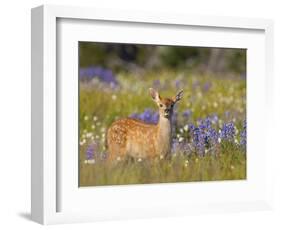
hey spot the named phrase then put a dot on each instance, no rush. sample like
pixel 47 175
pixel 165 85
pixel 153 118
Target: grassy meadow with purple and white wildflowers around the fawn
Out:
pixel 209 125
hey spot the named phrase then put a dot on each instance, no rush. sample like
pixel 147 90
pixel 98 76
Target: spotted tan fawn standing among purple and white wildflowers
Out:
pixel 135 138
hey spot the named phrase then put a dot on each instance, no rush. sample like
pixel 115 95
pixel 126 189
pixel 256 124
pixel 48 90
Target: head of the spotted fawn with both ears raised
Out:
pixel 165 105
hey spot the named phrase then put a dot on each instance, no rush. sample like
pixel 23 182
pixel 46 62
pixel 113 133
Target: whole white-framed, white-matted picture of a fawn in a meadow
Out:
pixel 141 114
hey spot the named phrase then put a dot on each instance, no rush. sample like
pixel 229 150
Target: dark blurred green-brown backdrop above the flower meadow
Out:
pixel 139 58
